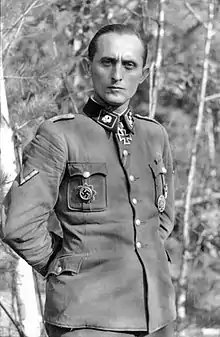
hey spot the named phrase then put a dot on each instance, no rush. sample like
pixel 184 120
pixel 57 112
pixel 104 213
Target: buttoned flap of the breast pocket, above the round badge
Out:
pixel 86 169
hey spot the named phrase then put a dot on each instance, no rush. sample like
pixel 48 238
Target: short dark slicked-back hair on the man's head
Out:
pixel 119 29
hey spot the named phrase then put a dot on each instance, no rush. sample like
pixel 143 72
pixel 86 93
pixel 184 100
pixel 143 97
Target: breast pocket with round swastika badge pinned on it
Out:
pixel 87 187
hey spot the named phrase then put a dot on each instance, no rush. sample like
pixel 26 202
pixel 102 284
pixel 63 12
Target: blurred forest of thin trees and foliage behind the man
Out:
pixel 43 44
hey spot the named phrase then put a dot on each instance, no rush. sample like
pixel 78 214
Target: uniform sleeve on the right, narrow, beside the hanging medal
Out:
pixel 167 216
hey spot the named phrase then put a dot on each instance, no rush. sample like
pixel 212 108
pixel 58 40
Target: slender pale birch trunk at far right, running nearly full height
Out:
pixel 187 253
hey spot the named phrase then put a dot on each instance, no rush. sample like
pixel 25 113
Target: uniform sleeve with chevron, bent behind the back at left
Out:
pixel 33 196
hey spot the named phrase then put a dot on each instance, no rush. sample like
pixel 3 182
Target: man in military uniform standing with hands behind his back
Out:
pixel 107 174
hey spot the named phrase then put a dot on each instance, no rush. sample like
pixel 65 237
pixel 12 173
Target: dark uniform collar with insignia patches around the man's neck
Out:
pixel 107 118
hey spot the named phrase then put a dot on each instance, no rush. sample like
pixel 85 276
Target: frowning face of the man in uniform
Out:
pixel 117 68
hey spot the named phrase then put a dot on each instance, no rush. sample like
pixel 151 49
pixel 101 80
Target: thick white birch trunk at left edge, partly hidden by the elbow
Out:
pixel 31 320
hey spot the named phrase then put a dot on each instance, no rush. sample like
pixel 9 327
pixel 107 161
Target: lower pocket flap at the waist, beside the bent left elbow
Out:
pixel 70 263
